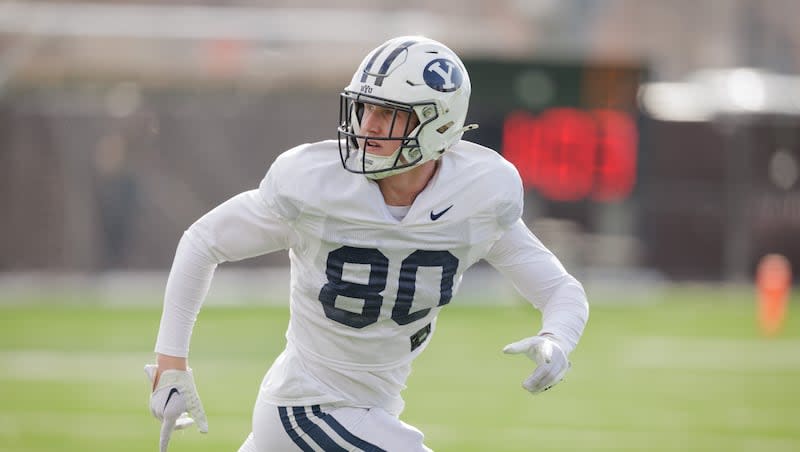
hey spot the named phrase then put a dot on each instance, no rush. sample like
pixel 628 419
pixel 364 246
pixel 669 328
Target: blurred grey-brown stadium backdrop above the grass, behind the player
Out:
pixel 122 122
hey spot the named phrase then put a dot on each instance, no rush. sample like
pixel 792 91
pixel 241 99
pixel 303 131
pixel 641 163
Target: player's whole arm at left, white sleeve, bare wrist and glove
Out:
pixel 239 228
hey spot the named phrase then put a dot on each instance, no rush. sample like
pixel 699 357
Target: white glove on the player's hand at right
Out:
pixel 551 361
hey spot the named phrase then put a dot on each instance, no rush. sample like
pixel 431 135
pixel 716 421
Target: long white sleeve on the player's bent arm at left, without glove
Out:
pixel 242 227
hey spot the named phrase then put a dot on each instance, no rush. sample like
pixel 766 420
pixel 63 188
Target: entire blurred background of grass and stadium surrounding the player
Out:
pixel 658 141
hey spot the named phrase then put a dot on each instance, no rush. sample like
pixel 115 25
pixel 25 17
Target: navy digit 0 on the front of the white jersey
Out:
pixel 408 282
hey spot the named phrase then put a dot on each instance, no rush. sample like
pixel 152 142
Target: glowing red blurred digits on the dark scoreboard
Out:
pixel 569 154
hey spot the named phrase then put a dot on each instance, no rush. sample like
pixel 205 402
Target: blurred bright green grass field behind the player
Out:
pixel 688 371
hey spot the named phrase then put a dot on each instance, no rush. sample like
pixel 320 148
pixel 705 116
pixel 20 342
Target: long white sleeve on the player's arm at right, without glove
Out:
pixel 539 277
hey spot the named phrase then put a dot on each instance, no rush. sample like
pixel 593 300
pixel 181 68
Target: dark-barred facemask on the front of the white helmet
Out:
pixel 353 148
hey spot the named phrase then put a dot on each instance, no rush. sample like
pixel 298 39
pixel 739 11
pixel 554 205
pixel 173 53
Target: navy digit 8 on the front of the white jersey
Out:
pixel 370 293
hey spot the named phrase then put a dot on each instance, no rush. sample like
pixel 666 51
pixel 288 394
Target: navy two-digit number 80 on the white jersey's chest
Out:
pixel 371 292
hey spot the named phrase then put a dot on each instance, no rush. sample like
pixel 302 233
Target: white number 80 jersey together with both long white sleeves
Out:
pixel 365 287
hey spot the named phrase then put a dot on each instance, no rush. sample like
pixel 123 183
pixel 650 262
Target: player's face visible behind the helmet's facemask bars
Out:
pixel 381 122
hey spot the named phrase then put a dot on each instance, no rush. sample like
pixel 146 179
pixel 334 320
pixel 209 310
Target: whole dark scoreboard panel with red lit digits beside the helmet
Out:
pixel 570 129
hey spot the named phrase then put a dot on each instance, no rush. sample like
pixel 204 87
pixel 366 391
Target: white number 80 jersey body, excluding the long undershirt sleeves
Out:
pixel 366 288
